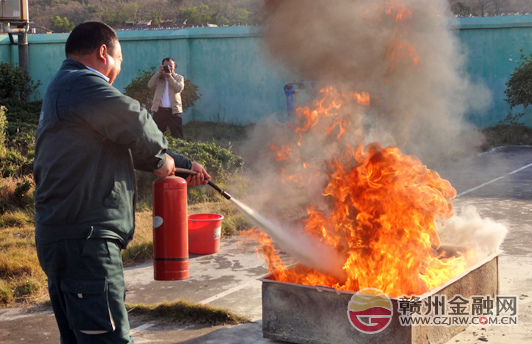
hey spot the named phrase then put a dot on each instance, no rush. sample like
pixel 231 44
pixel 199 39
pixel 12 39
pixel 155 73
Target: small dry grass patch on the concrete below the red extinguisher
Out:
pixel 185 313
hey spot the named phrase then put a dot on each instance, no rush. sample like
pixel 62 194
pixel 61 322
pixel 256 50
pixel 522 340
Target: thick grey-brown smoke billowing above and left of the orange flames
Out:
pixel 402 53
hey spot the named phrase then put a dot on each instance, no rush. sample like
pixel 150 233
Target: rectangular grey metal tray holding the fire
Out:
pixel 303 314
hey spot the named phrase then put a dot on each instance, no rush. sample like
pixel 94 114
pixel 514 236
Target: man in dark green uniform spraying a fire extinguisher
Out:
pixel 89 138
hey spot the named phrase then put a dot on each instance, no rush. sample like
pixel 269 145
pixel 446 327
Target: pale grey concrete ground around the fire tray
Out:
pixel 498 183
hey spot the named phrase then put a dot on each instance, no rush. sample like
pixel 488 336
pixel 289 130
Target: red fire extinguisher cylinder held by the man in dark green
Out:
pixel 170 229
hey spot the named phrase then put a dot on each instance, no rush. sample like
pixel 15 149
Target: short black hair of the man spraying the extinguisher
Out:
pixel 87 37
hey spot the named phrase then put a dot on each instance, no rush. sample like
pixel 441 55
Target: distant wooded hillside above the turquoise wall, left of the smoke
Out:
pixel 62 15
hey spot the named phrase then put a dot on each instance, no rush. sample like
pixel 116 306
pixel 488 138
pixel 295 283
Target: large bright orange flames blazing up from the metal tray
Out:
pixel 384 208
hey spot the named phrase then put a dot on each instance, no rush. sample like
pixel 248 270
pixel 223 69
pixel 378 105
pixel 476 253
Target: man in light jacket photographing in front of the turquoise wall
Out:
pixel 167 99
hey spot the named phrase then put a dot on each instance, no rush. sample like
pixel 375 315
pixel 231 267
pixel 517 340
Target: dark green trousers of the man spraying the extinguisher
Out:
pixel 87 290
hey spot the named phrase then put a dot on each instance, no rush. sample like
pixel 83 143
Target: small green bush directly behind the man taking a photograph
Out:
pixel 138 89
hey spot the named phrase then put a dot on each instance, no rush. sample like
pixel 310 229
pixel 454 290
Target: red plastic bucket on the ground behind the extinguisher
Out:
pixel 204 231
